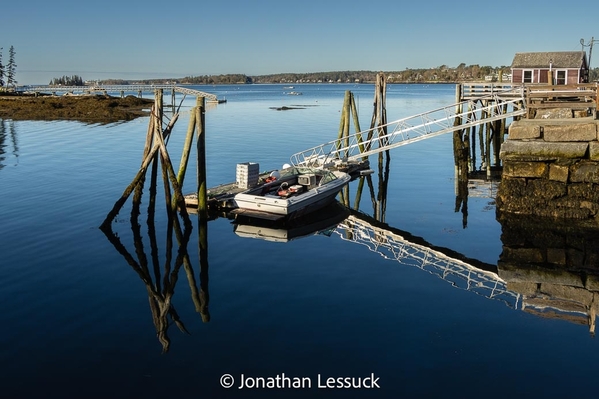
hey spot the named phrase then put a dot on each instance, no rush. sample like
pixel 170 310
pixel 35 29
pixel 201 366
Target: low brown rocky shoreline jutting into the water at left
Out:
pixel 83 108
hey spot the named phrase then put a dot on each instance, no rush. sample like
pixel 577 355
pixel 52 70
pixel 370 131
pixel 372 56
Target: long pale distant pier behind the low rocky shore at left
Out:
pixel 136 88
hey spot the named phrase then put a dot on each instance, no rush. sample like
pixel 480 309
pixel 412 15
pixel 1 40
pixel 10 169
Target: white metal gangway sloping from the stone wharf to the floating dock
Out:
pixel 501 104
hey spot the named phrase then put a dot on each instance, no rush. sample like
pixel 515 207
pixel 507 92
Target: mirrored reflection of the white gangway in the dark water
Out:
pixel 393 246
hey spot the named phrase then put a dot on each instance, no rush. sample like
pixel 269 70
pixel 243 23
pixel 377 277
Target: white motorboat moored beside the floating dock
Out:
pixel 291 192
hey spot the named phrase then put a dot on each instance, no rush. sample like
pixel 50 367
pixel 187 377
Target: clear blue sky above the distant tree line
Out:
pixel 144 39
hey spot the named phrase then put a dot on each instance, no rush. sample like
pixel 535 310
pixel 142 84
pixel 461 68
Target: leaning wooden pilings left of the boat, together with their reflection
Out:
pixel 160 289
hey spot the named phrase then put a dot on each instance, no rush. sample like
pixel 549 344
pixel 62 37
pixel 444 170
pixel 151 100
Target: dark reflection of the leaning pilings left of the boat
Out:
pixel 160 279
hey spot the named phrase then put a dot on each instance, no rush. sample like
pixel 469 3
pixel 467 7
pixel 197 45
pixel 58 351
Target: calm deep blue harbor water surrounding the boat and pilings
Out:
pixel 78 322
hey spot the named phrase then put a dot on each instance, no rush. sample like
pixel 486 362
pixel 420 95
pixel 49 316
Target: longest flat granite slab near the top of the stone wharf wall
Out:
pixel 541 150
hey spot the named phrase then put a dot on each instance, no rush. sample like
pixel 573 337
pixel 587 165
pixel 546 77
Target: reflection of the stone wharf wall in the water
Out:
pixel 554 266
